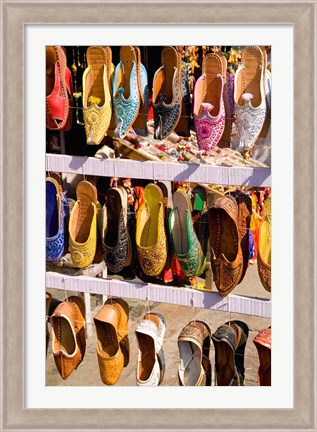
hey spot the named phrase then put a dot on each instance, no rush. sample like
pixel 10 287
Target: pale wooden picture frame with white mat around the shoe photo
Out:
pixel 27 403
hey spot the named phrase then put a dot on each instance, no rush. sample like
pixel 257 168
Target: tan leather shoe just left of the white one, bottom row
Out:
pixel 113 343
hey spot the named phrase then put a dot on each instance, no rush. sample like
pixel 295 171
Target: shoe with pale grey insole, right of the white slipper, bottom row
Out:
pixel 194 348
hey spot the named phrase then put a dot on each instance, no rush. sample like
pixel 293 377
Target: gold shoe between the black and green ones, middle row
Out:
pixel 151 239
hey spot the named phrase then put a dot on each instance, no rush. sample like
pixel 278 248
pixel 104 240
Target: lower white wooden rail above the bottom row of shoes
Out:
pixel 158 293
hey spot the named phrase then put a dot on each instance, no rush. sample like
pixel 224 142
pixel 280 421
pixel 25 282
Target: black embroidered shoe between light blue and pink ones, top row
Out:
pixel 171 98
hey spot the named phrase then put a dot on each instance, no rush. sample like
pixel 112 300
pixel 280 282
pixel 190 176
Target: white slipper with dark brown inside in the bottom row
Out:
pixel 151 362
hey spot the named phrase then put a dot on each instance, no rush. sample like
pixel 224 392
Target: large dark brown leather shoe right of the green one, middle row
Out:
pixel 225 249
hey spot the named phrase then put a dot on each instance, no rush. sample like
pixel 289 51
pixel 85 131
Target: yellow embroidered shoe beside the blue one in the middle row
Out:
pixel 84 225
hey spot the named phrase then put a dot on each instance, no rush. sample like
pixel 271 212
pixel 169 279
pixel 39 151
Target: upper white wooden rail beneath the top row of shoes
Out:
pixel 84 165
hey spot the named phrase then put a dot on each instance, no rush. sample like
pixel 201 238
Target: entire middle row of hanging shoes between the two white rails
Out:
pixel 138 229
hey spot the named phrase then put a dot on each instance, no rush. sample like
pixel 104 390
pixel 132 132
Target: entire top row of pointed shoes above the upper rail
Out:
pixel 116 99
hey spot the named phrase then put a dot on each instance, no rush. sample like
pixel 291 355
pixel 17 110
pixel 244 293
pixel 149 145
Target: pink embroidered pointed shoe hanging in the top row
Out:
pixel 209 107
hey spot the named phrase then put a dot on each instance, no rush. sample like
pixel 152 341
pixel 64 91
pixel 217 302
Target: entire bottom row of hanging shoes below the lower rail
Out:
pixel 111 322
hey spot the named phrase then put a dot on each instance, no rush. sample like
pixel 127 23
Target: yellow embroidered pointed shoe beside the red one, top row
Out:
pixel 96 93
